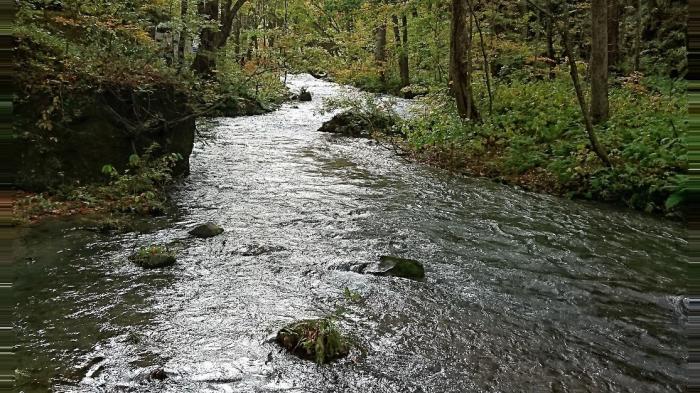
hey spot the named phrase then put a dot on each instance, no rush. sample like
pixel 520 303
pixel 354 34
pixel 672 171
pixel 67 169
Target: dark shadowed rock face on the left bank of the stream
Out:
pixel 108 128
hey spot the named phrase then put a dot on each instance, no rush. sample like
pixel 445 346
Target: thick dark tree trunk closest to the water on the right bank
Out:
pixel 460 43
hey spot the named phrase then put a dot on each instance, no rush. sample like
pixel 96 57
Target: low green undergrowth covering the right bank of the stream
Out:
pixel 536 126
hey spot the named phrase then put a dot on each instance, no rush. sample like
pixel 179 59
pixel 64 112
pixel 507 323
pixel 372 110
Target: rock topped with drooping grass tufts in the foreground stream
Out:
pixel 314 339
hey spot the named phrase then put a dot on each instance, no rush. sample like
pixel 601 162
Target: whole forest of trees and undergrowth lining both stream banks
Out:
pixel 580 100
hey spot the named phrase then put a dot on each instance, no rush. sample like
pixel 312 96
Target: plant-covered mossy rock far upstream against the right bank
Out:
pixel 358 125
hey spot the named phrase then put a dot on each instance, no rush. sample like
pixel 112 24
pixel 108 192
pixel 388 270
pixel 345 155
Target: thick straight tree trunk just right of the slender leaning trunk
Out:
pixel 599 61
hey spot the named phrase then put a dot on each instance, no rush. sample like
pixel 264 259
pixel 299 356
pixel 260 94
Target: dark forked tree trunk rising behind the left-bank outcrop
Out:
pixel 211 39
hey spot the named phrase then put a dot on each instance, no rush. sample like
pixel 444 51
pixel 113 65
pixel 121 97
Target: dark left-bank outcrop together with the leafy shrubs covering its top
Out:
pixel 93 91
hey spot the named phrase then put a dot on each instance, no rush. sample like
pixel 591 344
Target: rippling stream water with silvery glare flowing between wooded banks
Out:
pixel 523 292
